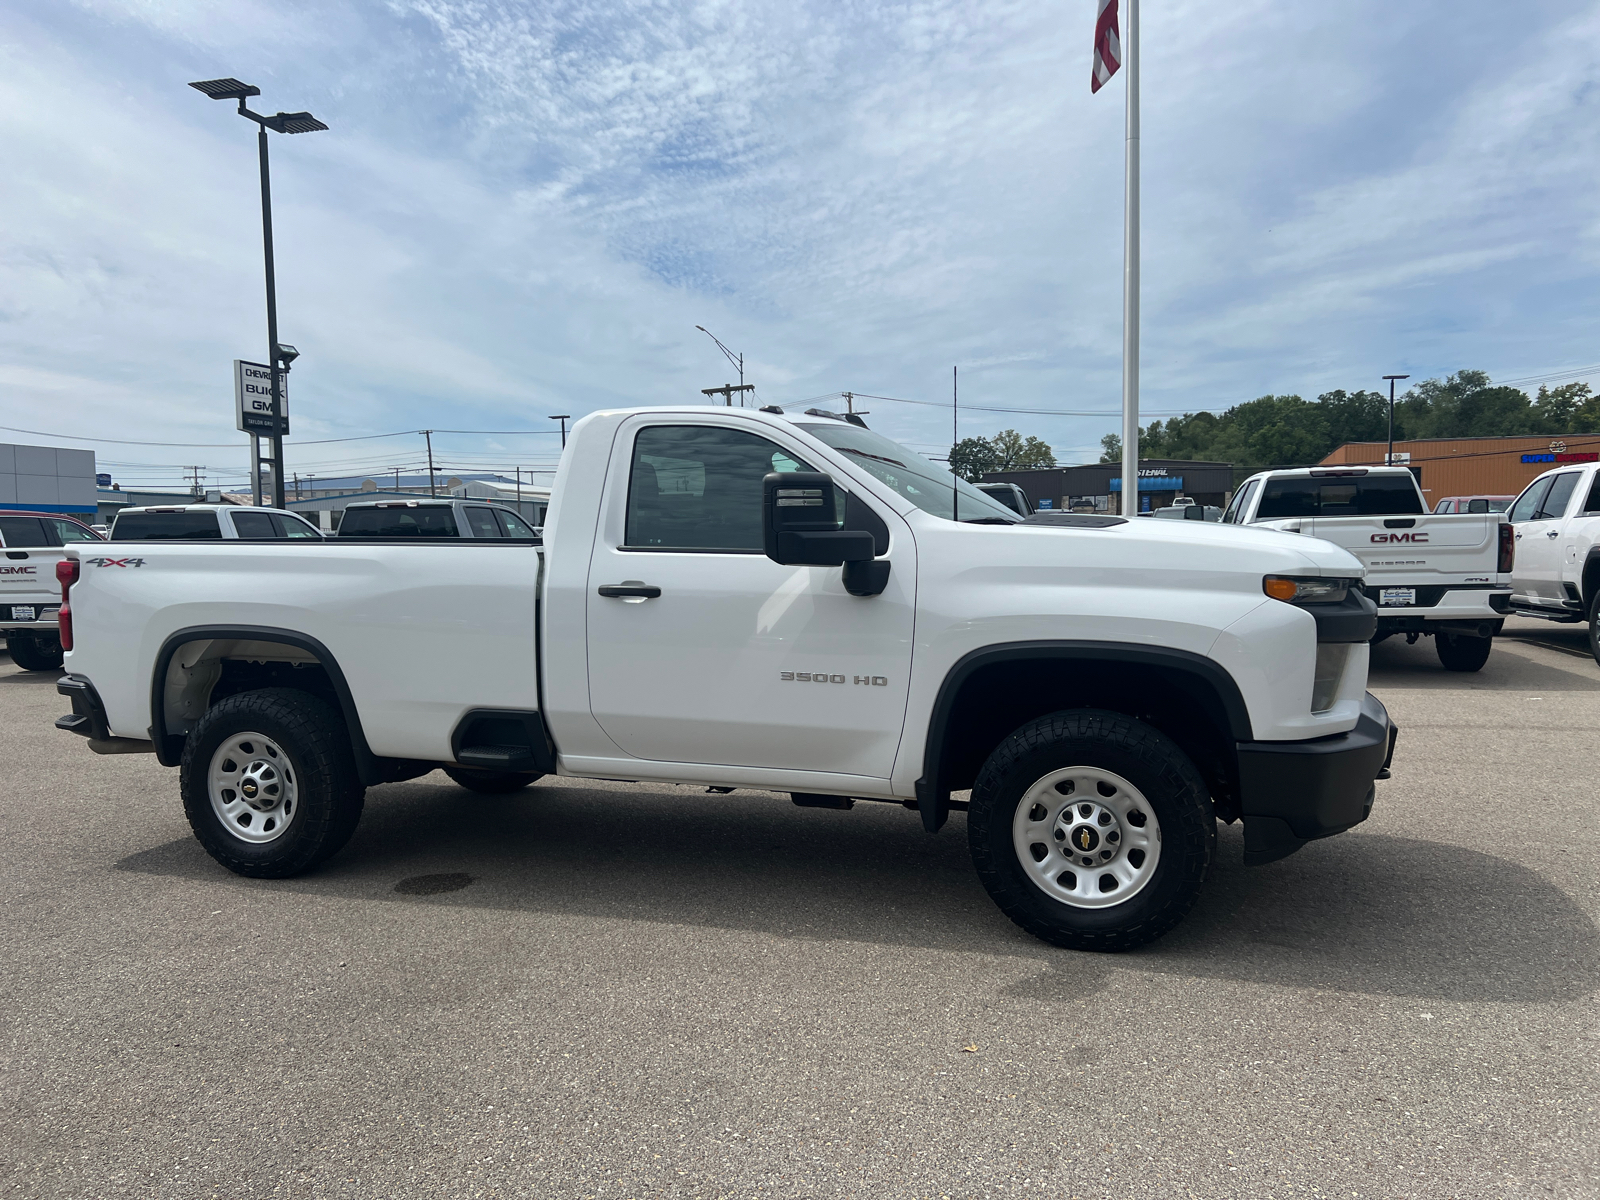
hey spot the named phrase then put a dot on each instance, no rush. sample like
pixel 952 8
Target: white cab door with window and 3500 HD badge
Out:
pixel 713 654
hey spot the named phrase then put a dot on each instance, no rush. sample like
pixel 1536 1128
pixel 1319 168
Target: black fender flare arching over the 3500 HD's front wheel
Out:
pixel 934 794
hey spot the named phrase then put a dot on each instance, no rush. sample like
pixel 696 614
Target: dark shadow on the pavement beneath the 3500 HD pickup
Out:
pixel 1362 913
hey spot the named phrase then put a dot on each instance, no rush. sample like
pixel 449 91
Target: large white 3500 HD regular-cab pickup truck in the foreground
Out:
pixel 746 601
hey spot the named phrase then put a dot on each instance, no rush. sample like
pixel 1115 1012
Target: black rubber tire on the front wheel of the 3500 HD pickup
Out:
pixel 1148 761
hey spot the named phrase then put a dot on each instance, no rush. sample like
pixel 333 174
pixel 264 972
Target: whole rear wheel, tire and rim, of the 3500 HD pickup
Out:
pixel 270 783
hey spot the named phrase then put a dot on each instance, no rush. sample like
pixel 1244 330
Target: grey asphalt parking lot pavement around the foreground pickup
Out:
pixel 660 993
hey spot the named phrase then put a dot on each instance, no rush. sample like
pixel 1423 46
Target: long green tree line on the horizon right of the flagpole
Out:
pixel 1284 431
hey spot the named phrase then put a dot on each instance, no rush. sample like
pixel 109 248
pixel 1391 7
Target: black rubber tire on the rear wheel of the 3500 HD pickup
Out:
pixel 329 791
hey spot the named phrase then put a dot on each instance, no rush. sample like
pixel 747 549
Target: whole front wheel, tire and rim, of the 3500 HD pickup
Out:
pixel 1092 831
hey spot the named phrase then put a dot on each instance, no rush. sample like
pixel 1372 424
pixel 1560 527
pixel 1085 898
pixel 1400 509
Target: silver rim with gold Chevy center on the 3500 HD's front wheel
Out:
pixel 1087 838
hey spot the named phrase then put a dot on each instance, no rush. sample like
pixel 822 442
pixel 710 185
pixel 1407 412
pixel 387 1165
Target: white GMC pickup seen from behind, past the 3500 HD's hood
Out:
pixel 1431 575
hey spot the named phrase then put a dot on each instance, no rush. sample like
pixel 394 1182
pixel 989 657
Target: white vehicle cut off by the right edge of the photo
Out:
pixel 1558 574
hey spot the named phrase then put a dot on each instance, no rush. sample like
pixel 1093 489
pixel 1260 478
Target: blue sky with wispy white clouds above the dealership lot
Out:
pixel 526 209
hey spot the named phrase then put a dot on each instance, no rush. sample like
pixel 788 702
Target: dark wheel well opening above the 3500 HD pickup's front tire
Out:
pixel 998 698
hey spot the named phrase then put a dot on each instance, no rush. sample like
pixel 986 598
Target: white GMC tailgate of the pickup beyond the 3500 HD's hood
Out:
pixel 1430 550
